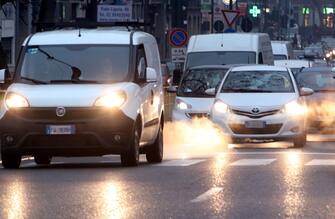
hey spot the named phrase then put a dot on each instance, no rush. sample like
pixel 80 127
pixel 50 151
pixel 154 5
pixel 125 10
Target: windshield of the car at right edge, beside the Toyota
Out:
pixel 318 81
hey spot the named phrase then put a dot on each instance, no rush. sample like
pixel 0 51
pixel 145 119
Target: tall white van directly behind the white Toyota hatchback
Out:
pixel 229 48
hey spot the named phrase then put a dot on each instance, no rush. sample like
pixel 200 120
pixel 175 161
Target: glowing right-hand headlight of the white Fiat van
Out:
pixel 111 100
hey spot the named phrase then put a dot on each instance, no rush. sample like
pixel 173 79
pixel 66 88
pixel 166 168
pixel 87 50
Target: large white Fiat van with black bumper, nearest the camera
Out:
pixel 87 92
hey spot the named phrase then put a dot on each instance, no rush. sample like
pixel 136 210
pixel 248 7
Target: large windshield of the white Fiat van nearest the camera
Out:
pixel 83 62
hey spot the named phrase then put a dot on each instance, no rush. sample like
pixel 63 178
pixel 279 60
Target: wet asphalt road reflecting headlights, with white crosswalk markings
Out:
pixel 252 181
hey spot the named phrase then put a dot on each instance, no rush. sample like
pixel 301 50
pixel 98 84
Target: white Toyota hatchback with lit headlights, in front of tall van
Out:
pixel 261 103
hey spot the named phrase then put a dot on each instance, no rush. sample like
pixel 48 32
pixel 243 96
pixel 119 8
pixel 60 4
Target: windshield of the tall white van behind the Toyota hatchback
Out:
pixel 220 58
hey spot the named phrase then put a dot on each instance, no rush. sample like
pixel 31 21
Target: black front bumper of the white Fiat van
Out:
pixel 97 132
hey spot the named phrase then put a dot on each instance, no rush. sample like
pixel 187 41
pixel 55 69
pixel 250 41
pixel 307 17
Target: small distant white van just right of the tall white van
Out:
pixel 282 50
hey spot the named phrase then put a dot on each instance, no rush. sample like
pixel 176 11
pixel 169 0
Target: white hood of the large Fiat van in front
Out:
pixel 66 95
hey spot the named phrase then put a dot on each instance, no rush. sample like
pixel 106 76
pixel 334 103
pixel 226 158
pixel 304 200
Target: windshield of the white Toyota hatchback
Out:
pixel 258 82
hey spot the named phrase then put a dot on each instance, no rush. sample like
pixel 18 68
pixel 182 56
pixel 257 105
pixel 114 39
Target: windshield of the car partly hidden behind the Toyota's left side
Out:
pixel 197 81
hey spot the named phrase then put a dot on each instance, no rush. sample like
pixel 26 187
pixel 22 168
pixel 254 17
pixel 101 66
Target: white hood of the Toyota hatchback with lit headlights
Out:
pixel 264 101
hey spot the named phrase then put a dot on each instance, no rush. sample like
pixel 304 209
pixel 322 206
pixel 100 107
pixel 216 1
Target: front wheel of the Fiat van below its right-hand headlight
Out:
pixel 132 156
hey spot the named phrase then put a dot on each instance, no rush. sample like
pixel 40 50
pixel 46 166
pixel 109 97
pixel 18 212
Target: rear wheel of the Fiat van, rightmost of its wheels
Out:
pixel 154 152
